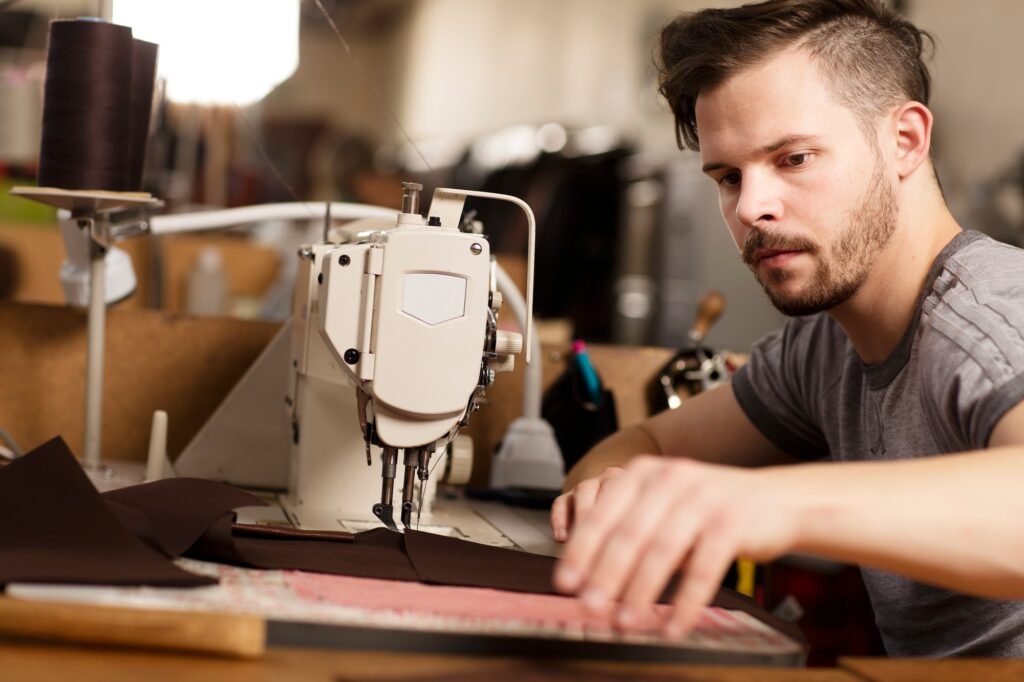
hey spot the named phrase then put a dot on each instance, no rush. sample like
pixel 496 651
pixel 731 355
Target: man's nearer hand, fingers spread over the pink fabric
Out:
pixel 632 529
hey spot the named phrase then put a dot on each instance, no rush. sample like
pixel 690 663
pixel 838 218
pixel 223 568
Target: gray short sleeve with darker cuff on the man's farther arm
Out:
pixel 775 392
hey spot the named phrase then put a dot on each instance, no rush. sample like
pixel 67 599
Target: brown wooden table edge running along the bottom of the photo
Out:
pixel 22 662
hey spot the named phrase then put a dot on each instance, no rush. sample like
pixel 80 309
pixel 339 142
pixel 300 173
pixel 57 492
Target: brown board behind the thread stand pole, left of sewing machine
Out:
pixel 154 361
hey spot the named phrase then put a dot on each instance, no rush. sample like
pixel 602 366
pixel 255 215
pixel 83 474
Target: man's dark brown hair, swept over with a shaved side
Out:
pixel 871 59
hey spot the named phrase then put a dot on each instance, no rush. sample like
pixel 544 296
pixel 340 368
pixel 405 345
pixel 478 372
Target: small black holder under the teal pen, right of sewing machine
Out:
pixel 579 422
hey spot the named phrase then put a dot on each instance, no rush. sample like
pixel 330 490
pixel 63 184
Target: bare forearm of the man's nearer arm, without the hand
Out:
pixel 952 521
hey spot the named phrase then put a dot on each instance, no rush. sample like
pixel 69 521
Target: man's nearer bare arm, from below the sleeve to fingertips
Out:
pixel 954 521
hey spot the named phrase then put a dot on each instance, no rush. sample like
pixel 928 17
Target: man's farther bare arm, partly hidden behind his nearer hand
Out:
pixel 710 428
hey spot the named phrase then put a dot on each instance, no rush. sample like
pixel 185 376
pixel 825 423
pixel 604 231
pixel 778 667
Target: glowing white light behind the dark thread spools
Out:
pixel 218 52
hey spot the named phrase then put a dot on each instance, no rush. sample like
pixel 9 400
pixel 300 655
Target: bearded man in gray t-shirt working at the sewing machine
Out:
pixel 907 342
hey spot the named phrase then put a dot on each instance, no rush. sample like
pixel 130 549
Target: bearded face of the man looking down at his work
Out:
pixel 805 194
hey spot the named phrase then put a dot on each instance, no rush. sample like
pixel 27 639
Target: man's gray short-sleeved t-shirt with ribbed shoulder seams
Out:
pixel 958 370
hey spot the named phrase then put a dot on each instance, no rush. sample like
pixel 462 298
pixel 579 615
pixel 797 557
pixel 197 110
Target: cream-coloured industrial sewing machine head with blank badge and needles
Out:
pixel 397 327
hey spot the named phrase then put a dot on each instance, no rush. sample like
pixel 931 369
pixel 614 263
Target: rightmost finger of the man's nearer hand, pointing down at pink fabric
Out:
pixel 707 567
